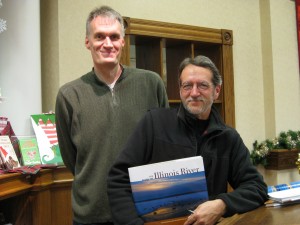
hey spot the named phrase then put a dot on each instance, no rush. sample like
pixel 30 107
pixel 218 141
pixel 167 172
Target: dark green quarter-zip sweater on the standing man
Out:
pixel 93 124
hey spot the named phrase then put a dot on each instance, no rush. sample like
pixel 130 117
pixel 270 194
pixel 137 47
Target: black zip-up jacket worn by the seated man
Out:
pixel 167 134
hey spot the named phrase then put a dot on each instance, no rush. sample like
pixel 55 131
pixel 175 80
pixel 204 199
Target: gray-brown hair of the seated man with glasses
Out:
pixel 201 61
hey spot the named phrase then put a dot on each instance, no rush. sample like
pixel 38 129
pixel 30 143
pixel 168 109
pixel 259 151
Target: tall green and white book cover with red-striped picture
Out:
pixel 45 131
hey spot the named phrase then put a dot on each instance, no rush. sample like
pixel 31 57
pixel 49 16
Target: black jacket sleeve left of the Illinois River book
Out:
pixel 135 153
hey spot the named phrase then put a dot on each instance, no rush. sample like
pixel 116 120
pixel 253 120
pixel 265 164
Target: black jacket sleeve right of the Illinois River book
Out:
pixel 250 191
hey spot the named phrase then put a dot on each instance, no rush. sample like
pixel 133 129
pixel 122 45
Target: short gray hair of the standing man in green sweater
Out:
pixel 105 11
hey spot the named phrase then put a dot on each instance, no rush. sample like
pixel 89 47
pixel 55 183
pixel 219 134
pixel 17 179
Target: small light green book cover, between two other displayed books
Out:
pixel 29 150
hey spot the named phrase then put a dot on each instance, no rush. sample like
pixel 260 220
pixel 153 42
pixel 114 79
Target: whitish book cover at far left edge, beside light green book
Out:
pixel 9 159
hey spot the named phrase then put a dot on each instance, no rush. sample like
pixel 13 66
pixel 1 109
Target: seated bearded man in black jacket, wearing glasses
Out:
pixel 196 128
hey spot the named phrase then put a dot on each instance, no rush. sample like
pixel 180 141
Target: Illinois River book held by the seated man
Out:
pixel 168 189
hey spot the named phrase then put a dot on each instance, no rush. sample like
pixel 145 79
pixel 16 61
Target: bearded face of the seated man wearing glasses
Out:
pixel 197 91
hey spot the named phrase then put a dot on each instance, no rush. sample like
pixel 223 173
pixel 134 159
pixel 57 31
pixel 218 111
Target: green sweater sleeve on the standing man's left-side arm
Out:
pixel 63 113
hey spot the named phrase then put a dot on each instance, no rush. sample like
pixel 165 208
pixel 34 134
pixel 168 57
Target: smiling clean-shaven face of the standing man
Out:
pixel 105 41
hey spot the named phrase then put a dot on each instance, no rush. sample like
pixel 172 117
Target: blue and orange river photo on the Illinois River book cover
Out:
pixel 169 197
